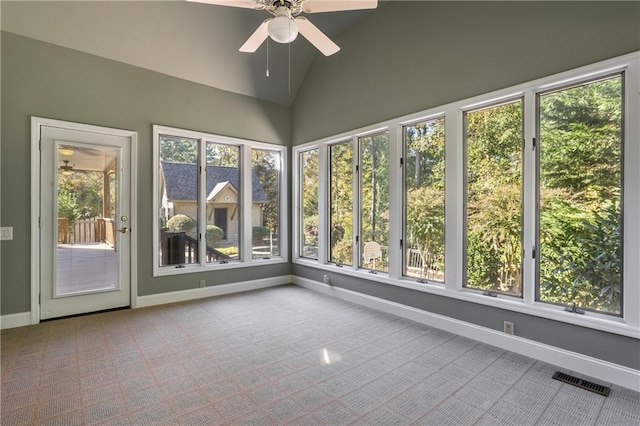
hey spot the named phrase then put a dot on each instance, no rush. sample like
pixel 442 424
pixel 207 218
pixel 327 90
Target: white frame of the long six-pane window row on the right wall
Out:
pixel 627 325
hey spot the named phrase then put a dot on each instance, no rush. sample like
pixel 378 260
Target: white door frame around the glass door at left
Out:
pixel 36 124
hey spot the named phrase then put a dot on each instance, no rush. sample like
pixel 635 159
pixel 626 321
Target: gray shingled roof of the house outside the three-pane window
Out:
pixel 180 180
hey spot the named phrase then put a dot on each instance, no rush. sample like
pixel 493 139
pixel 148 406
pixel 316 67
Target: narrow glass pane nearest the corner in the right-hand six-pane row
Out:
pixel 309 204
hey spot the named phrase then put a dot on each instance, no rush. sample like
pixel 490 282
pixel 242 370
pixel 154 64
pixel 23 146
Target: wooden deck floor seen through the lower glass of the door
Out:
pixel 85 267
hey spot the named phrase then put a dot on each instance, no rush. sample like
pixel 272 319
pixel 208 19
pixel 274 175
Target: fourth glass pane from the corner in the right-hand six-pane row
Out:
pixel 424 200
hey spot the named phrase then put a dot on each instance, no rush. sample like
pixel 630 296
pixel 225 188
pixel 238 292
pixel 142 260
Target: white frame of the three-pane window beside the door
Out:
pixel 245 225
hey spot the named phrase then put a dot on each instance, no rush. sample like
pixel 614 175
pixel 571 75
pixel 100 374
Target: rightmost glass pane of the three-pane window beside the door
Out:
pixel 265 207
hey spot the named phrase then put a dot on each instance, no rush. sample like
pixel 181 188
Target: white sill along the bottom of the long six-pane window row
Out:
pixel 591 320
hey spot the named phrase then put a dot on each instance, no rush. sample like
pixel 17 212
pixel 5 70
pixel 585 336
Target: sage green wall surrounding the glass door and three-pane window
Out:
pixel 41 79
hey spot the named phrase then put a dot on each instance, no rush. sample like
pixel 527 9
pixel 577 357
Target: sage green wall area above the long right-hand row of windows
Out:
pixel 412 55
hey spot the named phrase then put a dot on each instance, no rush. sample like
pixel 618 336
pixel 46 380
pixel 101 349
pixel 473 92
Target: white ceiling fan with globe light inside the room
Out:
pixel 285 24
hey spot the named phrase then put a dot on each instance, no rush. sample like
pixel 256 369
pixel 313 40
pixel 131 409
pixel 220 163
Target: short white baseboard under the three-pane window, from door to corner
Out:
pixel 216 290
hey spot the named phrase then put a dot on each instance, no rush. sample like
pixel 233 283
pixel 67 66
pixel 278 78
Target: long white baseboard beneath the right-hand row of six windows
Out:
pixel 593 367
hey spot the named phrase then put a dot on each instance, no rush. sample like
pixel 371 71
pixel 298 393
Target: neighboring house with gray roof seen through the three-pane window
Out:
pixel 179 194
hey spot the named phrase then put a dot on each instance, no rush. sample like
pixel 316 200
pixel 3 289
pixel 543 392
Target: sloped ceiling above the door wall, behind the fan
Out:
pixel 196 42
